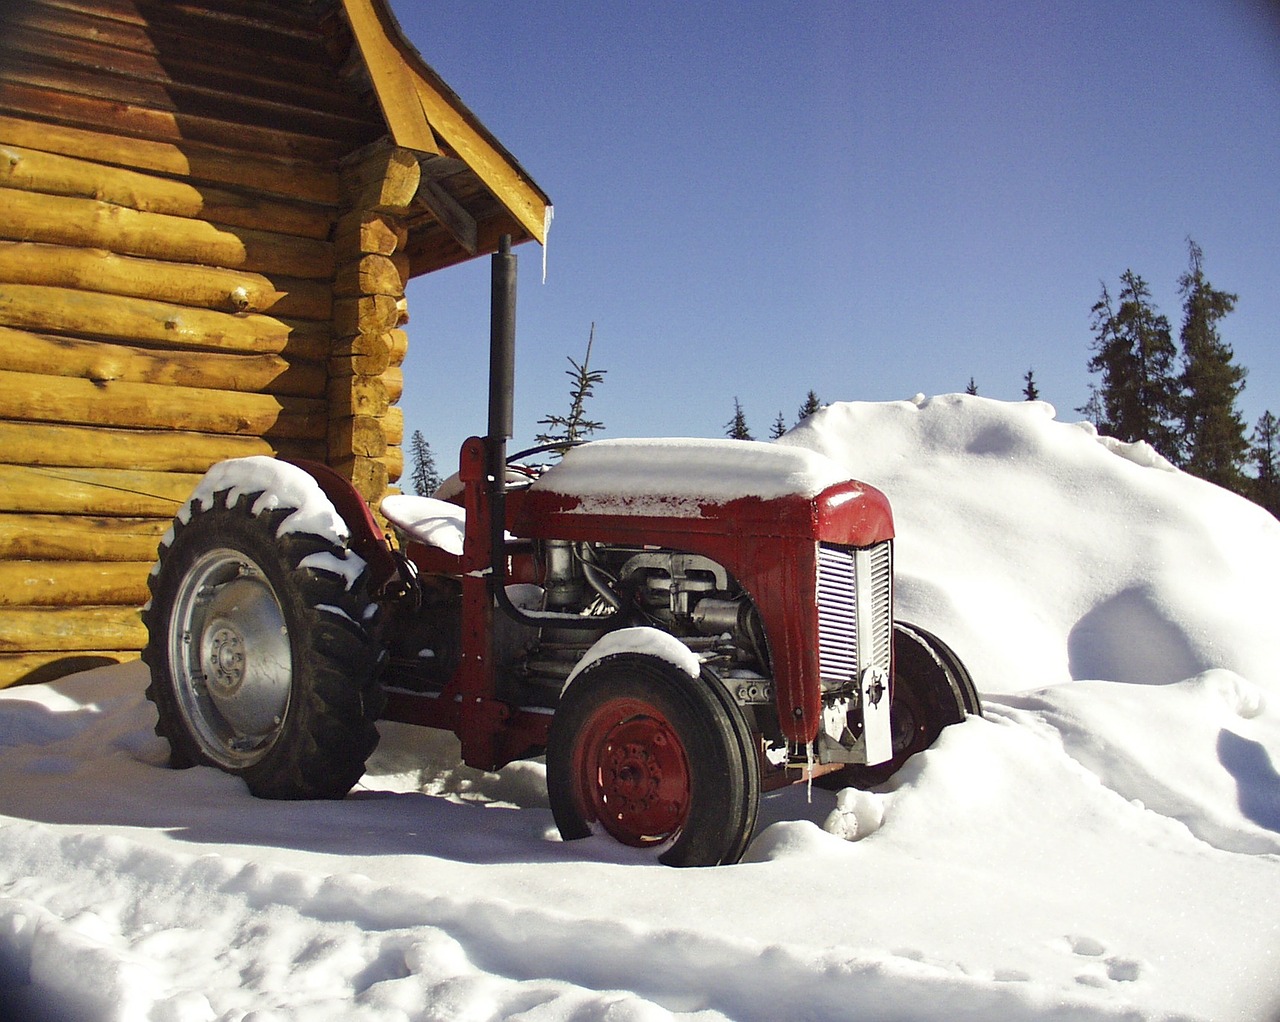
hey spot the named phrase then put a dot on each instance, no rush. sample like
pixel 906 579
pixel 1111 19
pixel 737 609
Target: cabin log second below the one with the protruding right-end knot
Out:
pixel 94 361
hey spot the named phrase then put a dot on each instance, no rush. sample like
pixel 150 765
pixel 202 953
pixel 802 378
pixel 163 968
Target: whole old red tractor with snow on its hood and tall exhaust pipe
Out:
pixel 676 624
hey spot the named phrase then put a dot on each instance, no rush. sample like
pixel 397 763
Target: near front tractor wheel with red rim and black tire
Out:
pixel 653 758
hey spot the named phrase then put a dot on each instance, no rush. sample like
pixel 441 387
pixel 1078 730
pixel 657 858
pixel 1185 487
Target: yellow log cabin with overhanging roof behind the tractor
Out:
pixel 209 211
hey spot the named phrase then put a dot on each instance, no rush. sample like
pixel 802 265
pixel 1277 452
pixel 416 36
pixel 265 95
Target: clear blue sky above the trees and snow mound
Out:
pixel 865 199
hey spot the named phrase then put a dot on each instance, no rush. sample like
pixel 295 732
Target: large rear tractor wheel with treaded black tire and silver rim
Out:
pixel 262 651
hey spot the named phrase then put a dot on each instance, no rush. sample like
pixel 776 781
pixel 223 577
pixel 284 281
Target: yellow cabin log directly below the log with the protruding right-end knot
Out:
pixel 162 325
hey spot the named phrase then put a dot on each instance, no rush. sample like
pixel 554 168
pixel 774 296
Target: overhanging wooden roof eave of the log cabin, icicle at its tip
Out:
pixel 473 189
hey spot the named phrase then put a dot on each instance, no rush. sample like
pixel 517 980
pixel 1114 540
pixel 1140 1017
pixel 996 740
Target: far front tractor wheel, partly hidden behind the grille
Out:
pixel 932 690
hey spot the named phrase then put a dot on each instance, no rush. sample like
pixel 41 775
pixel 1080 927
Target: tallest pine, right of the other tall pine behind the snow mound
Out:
pixel 1213 428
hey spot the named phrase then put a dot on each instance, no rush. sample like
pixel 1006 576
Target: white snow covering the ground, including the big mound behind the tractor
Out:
pixel 1103 845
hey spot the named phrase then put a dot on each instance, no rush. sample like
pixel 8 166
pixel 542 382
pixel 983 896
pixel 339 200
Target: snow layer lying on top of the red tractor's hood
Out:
pixel 676 477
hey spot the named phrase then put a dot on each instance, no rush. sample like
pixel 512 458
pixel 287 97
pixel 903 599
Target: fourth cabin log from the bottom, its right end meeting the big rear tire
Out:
pixel 79 539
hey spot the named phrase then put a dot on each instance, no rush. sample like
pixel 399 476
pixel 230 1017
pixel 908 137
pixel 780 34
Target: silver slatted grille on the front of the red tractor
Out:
pixel 856 613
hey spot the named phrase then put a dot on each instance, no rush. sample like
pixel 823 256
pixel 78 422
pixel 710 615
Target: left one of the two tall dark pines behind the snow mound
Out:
pixel 1135 353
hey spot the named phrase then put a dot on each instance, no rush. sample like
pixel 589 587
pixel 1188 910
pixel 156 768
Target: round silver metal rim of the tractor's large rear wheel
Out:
pixel 231 658
